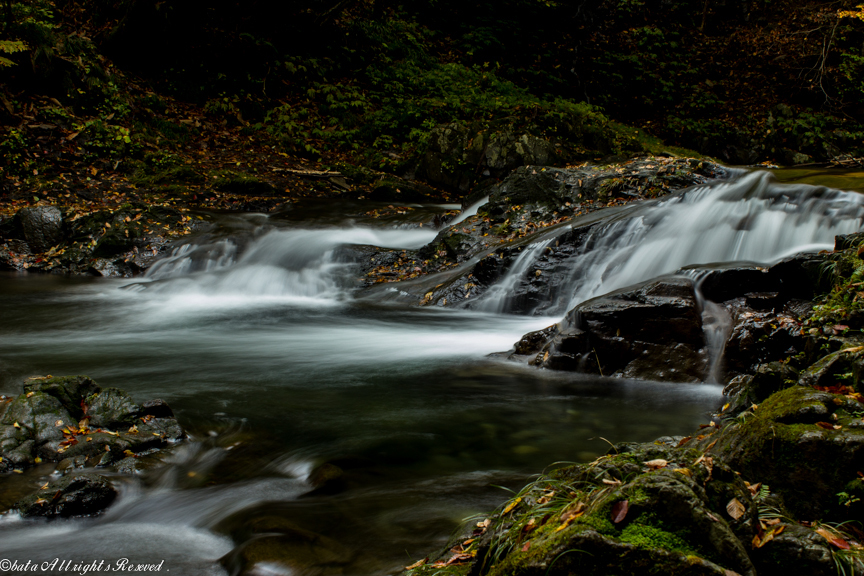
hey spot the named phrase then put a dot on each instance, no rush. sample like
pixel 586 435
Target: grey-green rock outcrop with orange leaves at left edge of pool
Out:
pixel 72 416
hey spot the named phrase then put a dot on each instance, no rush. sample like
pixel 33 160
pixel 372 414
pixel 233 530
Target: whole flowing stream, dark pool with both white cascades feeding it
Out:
pixel 251 333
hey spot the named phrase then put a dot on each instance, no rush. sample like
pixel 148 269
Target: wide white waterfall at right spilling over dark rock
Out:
pixel 753 219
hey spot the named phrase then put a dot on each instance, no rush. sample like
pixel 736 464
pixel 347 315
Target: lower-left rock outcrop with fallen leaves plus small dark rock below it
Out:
pixel 83 428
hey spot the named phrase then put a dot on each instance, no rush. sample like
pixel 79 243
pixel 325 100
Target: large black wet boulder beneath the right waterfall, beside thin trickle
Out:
pixel 651 331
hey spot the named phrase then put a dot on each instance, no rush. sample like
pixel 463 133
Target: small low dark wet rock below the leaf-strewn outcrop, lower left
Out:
pixel 76 495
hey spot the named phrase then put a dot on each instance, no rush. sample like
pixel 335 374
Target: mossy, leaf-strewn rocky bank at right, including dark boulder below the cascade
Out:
pixel 773 484
